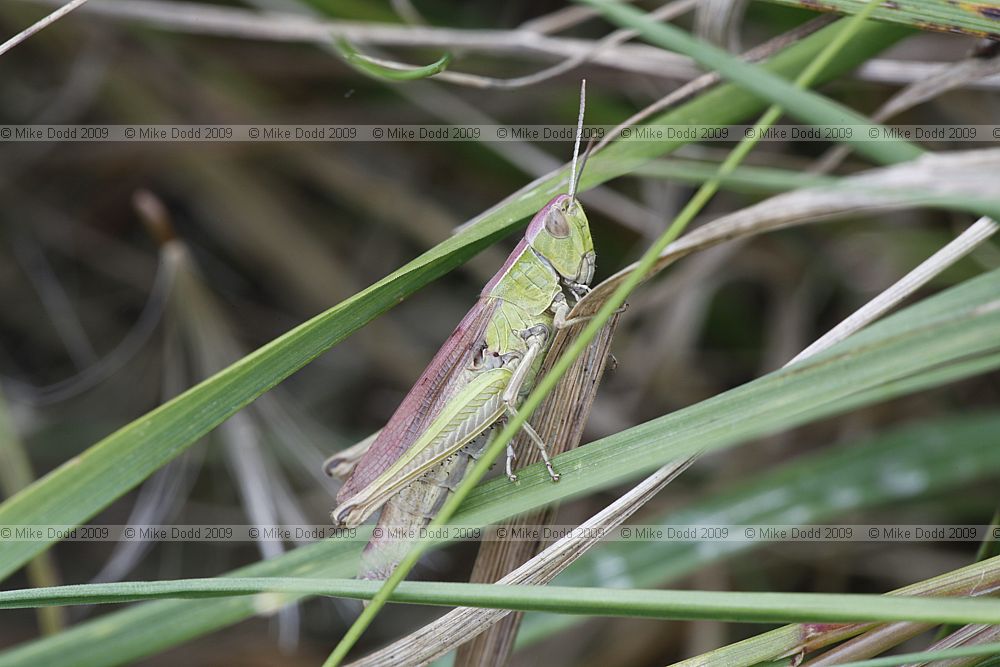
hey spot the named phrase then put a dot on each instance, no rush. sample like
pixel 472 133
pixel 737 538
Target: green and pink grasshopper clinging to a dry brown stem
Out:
pixel 475 381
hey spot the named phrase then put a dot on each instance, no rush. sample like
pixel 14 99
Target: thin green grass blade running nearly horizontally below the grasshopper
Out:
pixel 634 603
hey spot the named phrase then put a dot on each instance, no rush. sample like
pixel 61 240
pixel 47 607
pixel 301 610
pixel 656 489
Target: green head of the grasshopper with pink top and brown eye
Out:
pixel 560 233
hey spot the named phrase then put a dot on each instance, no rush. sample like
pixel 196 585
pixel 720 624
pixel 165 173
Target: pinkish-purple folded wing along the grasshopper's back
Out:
pixel 424 401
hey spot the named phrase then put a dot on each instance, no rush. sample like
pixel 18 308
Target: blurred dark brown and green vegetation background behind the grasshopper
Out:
pixel 132 271
